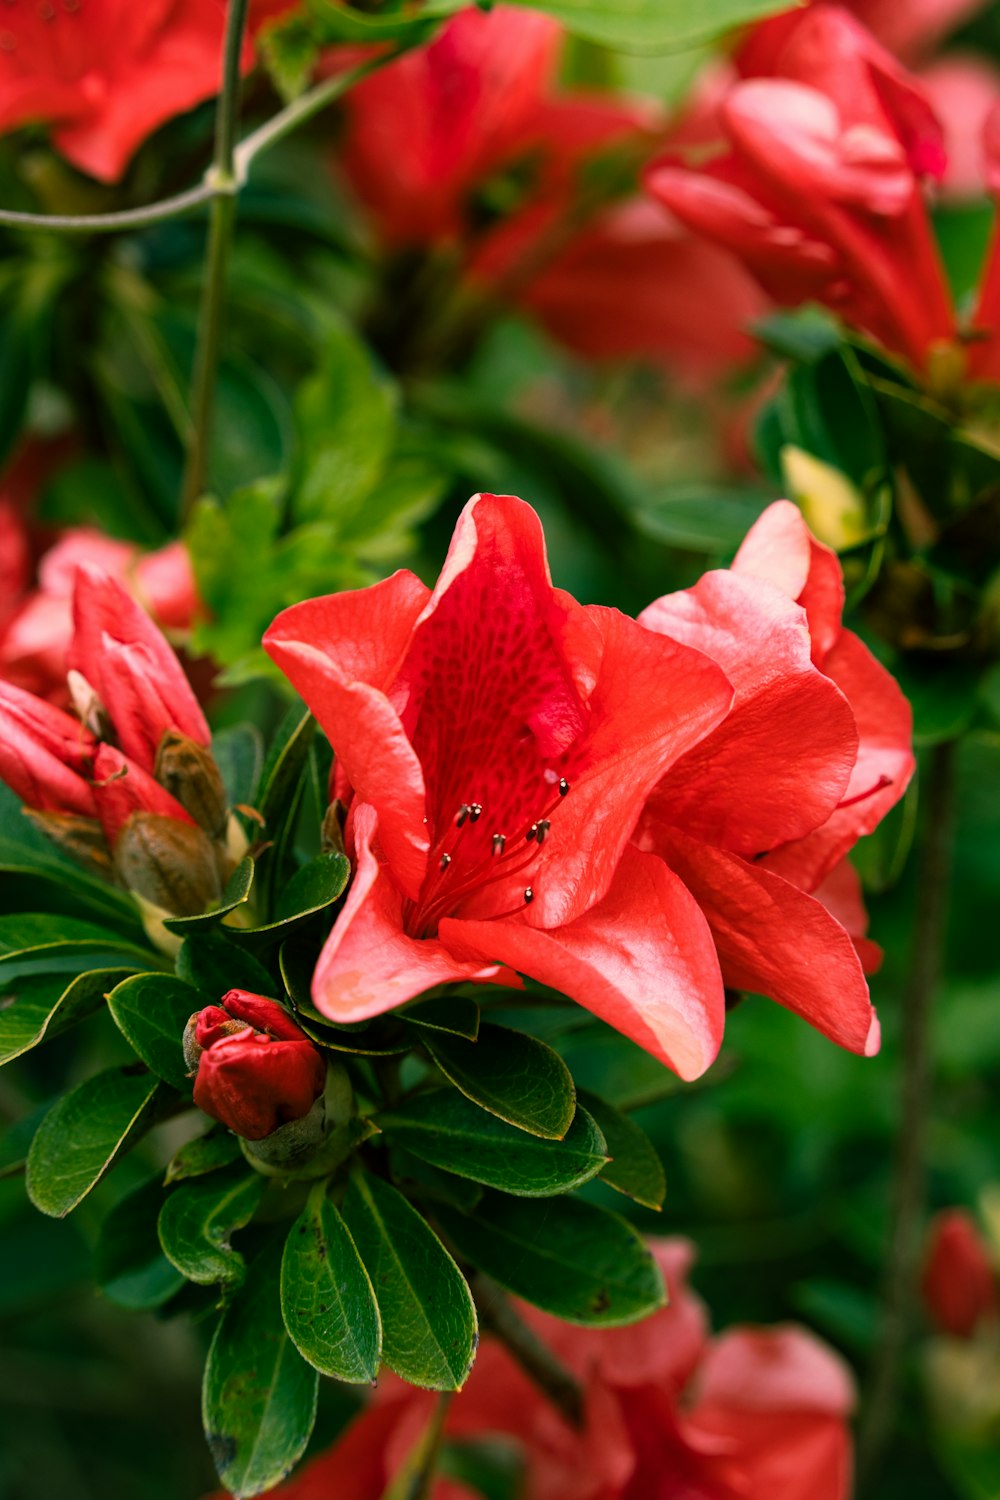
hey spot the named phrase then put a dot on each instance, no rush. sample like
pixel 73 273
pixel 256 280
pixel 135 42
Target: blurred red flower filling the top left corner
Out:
pixel 106 74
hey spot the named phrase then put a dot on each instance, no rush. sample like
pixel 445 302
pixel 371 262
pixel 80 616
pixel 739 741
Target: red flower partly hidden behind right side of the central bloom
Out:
pixel 759 817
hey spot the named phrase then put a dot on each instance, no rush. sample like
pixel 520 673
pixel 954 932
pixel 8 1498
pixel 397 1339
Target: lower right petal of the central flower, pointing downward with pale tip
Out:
pixel 642 959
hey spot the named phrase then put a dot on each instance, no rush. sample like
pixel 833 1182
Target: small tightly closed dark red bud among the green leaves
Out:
pixel 257 1070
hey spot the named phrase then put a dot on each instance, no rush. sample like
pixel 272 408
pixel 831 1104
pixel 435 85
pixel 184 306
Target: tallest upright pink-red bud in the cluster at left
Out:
pixel 131 667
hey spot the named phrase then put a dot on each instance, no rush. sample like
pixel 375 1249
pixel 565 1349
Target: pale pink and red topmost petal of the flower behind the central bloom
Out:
pixel 782 550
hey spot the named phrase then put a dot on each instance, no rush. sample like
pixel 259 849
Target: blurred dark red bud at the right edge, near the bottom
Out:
pixel 960 1280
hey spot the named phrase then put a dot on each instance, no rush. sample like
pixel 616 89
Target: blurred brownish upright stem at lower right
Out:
pixel 911 1174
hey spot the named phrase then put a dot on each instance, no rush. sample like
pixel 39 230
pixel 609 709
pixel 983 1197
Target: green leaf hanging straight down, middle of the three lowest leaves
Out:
pixel 328 1300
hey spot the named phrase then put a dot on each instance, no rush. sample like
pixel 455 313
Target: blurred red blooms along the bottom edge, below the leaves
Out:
pixel 750 1415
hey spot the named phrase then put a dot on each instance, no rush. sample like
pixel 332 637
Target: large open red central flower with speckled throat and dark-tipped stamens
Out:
pixel 501 742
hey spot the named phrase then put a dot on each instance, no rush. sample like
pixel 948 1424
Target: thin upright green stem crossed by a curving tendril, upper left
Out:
pixel 224 184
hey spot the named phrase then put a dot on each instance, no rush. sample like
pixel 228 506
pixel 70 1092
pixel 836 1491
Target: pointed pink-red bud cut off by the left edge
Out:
pixel 44 755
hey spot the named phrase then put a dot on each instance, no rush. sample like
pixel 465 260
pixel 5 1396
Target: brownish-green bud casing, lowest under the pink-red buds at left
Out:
pixel 170 863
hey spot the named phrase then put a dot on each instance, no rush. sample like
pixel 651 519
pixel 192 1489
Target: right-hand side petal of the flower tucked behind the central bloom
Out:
pixel 882 772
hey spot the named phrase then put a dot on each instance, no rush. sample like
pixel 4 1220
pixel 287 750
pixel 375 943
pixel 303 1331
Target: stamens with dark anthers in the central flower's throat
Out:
pixel 473 857
